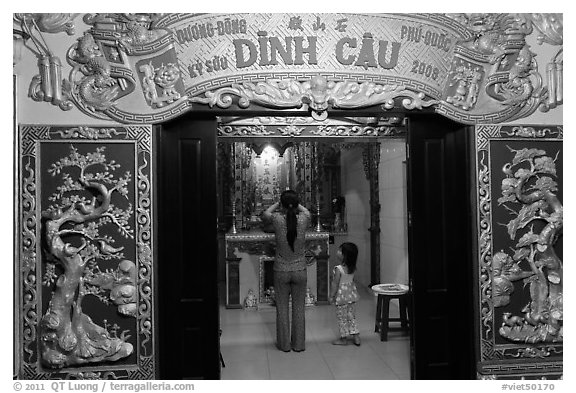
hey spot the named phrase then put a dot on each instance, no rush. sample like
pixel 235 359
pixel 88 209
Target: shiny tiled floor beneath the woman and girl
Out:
pixel 247 346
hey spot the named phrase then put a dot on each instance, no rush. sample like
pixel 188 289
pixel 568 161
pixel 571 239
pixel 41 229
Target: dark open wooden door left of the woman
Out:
pixel 187 250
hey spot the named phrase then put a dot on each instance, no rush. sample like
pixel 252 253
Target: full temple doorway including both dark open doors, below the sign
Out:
pixel 202 274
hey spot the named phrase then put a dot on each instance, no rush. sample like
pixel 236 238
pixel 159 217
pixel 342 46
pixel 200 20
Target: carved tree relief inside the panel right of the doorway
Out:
pixel 529 193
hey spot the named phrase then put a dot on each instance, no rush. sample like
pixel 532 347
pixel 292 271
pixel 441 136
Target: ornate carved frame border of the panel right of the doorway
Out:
pixel 497 360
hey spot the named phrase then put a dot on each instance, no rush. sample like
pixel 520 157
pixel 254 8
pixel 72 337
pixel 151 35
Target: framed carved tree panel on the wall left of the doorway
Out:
pixel 85 253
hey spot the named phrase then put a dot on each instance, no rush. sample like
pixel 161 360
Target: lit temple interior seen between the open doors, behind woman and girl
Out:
pixel 350 173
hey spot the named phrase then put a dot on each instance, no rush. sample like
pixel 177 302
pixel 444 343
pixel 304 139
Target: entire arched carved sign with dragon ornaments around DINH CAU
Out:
pixel 146 68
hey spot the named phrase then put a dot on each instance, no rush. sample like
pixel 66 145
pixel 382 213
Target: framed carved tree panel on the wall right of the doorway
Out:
pixel 520 221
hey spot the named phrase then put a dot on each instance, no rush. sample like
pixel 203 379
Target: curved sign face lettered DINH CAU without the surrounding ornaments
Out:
pixel 253 47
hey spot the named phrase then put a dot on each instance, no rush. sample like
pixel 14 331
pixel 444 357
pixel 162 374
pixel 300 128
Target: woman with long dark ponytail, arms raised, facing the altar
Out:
pixel 289 269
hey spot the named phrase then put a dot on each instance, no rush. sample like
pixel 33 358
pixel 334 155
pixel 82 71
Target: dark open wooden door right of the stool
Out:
pixel 440 248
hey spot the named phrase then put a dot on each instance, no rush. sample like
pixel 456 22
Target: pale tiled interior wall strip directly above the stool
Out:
pixel 393 212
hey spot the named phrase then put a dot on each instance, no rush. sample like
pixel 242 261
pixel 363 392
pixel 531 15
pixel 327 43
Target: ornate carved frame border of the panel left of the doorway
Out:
pixel 29 226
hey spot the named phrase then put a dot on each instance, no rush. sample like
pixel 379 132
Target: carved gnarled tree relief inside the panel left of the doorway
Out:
pixel 83 204
